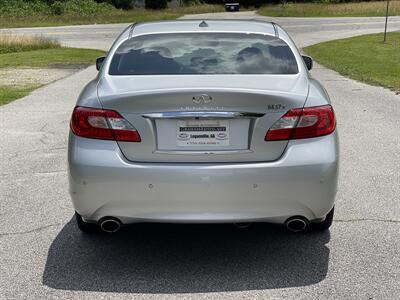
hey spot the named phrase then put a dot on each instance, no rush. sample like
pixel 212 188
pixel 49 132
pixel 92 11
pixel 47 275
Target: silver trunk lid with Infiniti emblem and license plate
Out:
pixel 236 109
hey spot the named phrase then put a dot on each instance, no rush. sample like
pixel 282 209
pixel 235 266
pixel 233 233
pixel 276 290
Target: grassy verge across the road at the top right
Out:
pixel 360 9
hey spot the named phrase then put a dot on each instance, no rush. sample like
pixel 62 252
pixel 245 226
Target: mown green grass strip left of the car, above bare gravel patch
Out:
pixel 59 57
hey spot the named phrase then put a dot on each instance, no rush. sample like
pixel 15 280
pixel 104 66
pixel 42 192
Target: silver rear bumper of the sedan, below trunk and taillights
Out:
pixel 302 182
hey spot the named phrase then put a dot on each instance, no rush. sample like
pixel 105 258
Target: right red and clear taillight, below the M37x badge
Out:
pixel 301 123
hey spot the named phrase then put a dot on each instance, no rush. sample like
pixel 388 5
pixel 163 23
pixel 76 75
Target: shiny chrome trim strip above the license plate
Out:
pixel 202 115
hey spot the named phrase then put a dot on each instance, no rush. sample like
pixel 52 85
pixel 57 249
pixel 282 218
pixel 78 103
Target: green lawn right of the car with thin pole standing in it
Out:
pixel 365 58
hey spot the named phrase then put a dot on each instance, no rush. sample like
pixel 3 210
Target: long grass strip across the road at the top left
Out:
pixel 110 16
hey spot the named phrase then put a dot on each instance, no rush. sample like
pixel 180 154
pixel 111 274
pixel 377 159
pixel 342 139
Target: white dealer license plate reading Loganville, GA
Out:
pixel 202 133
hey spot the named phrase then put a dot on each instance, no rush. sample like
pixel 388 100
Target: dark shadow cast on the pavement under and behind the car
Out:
pixel 168 258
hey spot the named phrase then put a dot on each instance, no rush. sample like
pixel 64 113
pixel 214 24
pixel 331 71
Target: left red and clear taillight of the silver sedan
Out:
pixel 102 124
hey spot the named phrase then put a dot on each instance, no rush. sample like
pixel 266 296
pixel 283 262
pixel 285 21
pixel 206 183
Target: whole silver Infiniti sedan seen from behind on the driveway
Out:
pixel 203 122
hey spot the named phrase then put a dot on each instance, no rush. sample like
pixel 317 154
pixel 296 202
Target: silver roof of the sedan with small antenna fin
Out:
pixel 246 26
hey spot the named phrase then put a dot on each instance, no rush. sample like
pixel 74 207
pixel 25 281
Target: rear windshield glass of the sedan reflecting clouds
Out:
pixel 203 53
